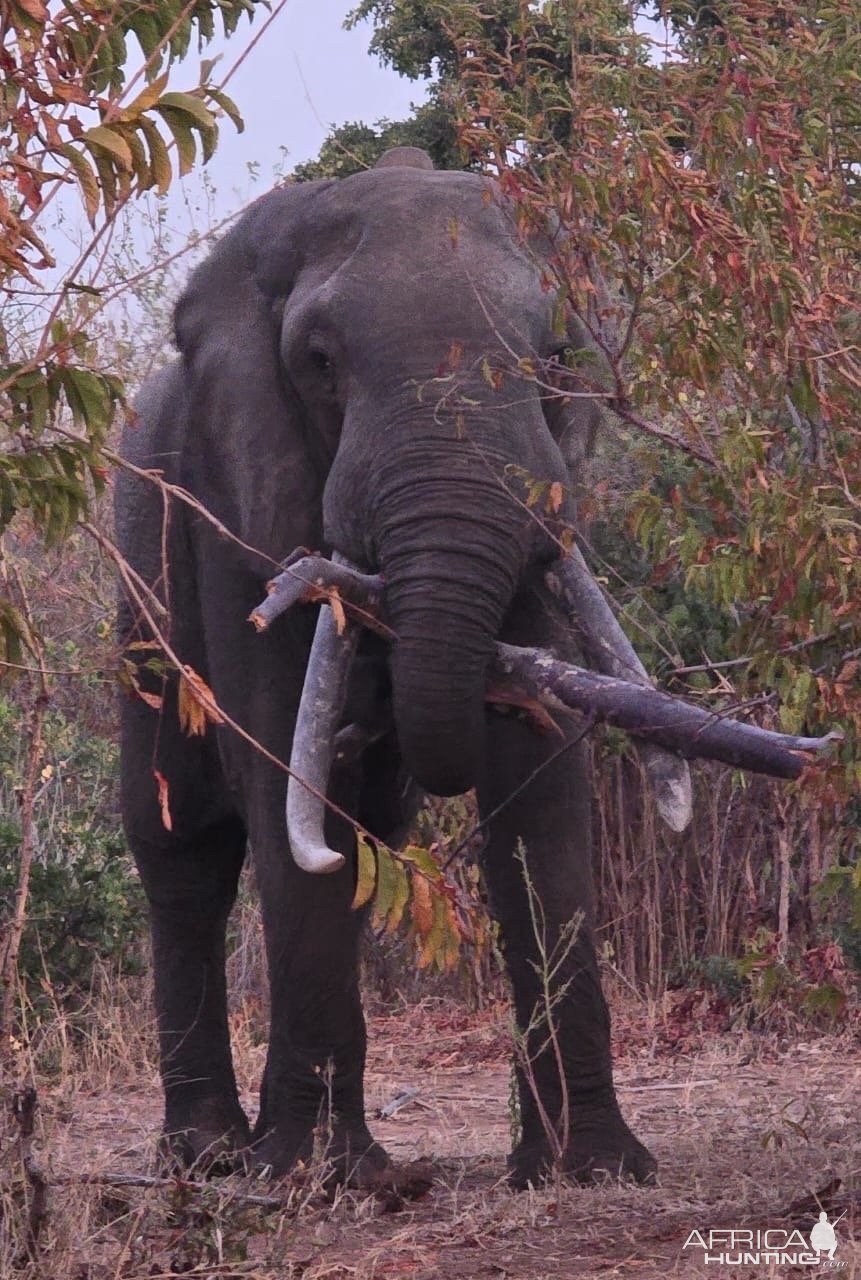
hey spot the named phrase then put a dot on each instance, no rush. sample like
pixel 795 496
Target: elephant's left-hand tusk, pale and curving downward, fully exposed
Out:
pixel 314 742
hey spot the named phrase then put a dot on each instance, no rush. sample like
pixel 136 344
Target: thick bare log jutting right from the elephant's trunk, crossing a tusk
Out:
pixel 690 732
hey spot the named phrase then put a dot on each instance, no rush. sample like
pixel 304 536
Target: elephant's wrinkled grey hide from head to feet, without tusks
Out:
pixel 304 410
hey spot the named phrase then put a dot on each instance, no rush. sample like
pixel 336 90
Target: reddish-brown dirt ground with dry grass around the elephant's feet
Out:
pixel 750 1135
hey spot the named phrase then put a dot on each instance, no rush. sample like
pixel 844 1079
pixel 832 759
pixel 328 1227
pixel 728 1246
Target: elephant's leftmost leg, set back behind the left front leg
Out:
pixel 191 886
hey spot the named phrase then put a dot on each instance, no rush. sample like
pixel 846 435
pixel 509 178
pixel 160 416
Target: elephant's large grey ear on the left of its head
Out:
pixel 246 455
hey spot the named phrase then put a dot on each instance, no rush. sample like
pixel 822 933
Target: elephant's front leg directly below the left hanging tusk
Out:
pixel 313 1095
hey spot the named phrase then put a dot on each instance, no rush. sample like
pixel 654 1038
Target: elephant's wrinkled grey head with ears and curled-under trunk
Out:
pixel 381 342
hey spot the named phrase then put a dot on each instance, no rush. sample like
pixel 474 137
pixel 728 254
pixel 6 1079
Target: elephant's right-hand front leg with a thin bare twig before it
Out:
pixel 538 868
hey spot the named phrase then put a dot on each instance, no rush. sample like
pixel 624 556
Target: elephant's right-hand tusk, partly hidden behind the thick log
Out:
pixel 571 582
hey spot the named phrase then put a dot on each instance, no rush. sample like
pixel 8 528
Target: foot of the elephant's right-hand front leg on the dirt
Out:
pixel 599 1151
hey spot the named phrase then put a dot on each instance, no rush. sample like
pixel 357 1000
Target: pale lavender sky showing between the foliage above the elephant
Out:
pixel 304 76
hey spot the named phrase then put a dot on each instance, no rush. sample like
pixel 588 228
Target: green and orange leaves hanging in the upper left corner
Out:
pixel 74 117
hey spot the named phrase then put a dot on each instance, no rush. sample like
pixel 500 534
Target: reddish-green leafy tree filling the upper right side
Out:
pixel 704 207
